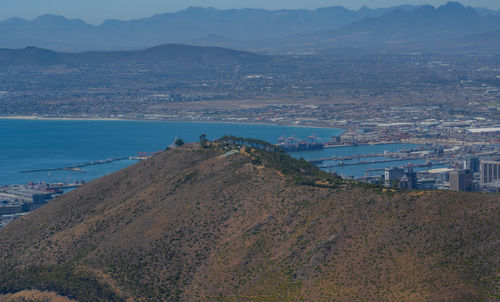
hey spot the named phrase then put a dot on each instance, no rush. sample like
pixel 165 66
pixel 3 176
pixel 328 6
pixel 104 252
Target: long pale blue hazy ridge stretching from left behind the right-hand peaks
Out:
pixel 51 31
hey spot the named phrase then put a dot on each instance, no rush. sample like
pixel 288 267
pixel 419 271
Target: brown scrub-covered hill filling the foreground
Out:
pixel 197 224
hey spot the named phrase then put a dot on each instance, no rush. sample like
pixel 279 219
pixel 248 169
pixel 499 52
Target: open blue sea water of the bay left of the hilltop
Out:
pixel 42 144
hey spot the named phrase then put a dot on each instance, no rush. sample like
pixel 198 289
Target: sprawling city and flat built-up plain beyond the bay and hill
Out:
pixel 448 105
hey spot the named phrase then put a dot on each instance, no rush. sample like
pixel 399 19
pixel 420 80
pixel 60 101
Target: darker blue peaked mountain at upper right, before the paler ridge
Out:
pixel 425 24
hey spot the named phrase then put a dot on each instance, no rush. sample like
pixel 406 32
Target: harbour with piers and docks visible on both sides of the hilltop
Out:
pixel 371 163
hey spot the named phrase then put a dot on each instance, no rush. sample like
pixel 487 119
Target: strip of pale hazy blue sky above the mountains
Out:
pixel 94 11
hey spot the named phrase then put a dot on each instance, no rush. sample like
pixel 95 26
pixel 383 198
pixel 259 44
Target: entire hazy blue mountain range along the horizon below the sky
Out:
pixel 256 29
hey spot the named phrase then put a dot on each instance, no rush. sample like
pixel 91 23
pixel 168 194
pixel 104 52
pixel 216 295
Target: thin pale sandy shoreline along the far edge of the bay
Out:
pixel 104 119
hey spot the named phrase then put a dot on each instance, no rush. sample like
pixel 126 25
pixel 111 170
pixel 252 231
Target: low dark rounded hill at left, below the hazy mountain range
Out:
pixel 180 55
